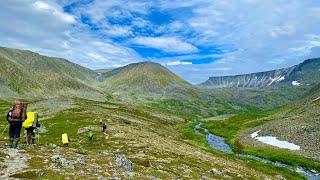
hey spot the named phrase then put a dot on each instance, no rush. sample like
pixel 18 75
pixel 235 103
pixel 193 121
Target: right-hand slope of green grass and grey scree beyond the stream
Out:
pixel 297 123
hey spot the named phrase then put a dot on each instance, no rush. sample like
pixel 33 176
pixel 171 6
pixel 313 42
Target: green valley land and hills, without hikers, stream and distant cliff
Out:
pixel 152 115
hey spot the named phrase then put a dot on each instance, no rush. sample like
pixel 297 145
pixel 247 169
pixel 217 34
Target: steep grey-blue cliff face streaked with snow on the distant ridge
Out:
pixel 307 72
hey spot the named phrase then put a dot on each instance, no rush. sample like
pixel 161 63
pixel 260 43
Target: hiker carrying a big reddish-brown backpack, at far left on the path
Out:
pixel 15 117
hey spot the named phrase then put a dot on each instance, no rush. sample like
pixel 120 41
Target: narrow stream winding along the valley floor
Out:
pixel 218 143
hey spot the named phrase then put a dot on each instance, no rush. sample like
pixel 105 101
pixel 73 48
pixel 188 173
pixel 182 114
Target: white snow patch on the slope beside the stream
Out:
pixel 273 141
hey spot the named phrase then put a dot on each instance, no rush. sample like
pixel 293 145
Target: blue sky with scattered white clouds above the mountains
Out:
pixel 194 38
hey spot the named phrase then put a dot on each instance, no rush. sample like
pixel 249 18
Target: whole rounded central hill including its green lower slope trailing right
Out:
pixel 158 88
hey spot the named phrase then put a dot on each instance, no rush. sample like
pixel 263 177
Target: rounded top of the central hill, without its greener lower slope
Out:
pixel 147 79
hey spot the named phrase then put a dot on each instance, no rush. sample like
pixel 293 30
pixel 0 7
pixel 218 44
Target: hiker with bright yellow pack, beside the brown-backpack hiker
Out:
pixel 30 125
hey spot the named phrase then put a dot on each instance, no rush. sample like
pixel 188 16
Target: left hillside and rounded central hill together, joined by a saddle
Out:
pixel 28 75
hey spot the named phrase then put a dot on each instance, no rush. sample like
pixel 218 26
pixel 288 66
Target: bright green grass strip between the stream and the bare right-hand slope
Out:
pixel 231 128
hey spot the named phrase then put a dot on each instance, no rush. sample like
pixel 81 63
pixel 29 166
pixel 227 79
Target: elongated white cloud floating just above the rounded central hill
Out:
pixel 167 44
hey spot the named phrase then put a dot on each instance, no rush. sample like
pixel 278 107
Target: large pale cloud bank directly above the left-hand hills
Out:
pixel 43 27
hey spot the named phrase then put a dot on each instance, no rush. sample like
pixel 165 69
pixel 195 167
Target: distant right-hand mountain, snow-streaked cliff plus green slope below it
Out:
pixel 267 89
